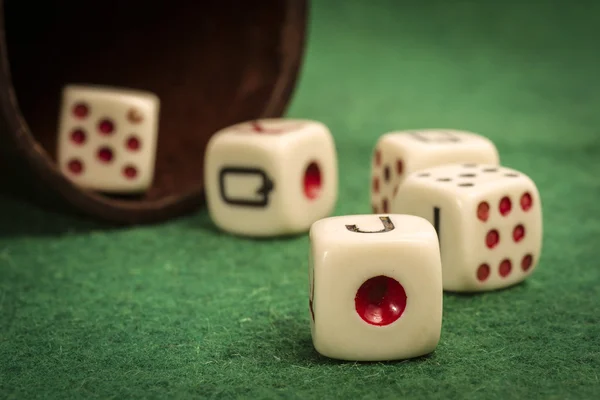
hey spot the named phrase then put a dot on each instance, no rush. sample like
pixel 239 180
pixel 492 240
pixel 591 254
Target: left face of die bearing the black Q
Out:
pixel 242 175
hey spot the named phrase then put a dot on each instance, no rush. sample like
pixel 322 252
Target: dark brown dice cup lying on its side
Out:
pixel 212 63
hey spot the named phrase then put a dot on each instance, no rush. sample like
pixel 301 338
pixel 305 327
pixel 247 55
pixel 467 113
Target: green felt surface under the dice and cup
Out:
pixel 180 310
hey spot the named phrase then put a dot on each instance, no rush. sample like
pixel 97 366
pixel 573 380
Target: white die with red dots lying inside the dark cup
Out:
pixel 107 138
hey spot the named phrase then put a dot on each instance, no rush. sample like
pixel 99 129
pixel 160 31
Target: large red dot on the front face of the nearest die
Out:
pixel 380 301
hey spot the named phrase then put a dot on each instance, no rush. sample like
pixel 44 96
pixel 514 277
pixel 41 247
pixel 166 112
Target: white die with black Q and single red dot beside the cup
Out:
pixel 270 177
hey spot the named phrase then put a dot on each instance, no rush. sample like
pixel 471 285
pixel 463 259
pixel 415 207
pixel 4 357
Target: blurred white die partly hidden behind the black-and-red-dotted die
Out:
pixel 398 154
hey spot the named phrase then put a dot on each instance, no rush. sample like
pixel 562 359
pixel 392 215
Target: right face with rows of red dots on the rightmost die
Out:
pixel 506 231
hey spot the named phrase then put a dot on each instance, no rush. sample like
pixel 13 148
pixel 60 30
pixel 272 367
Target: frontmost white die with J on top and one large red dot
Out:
pixel 375 287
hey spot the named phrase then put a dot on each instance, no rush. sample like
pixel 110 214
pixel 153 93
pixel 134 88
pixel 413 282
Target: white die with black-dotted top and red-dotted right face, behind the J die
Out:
pixel 488 218
